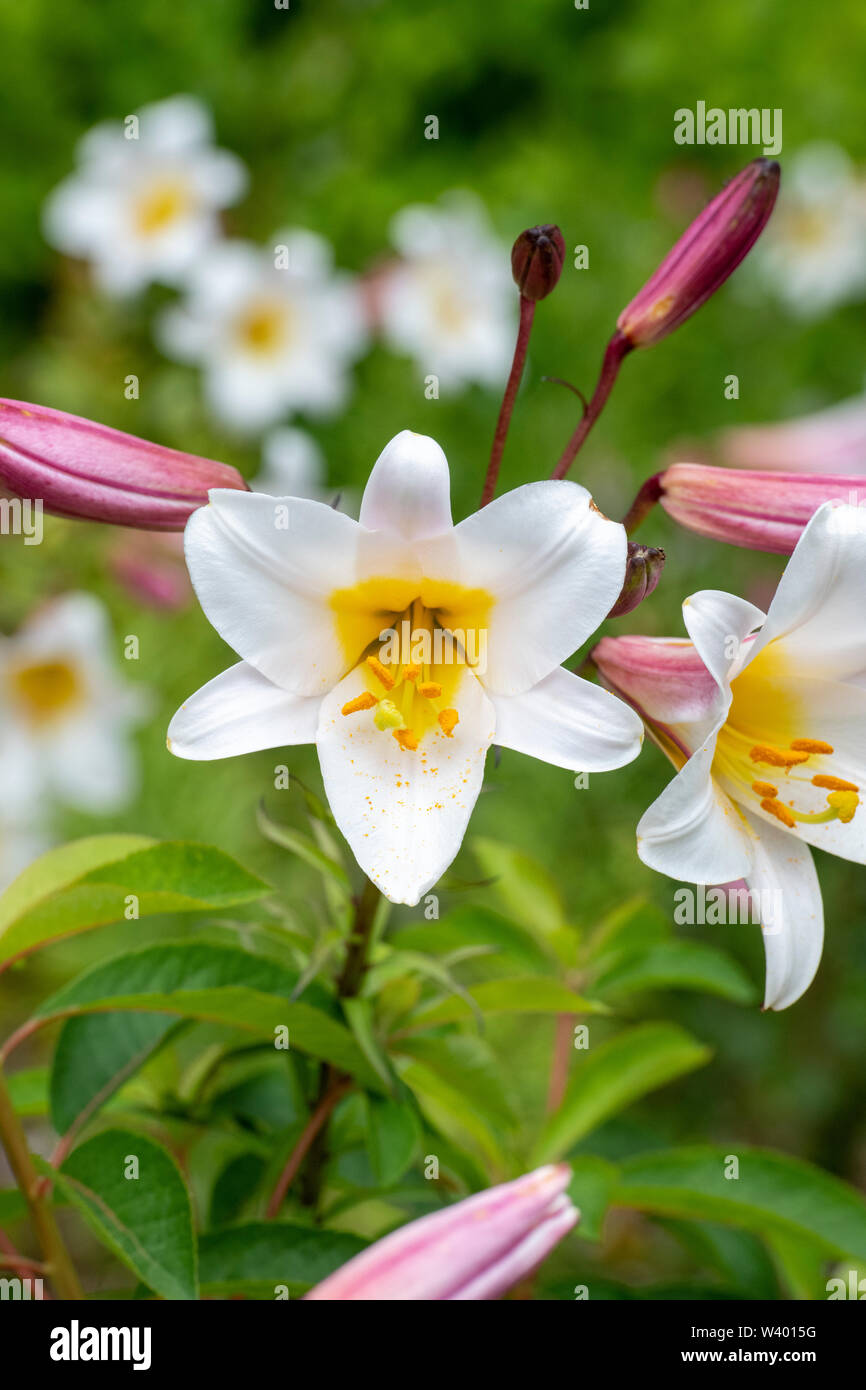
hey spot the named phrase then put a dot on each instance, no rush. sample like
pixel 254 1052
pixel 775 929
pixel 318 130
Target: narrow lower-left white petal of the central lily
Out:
pixel 241 712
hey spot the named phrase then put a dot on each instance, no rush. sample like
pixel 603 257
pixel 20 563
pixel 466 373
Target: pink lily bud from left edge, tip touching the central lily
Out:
pixel 80 469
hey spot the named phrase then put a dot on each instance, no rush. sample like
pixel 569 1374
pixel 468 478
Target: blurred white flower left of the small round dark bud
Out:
pixel 451 301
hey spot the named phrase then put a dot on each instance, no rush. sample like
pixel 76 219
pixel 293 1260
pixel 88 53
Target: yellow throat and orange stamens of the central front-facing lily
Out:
pixel 416 654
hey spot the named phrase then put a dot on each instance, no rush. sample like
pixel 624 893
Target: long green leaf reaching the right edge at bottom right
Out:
pixel 772 1195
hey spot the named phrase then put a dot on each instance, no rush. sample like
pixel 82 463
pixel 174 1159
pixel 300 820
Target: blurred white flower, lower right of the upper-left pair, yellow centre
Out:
pixel 275 330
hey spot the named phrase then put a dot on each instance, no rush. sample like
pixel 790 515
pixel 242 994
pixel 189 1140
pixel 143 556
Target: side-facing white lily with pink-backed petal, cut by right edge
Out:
pixel 764 718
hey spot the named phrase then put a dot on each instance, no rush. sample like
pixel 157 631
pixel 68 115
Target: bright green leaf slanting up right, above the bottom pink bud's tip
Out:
pixel 612 1077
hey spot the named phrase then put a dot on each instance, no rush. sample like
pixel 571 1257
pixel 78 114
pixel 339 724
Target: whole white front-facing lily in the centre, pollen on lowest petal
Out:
pixel 404 646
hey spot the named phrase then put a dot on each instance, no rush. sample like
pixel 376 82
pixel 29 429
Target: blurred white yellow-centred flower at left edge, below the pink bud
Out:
pixel 66 714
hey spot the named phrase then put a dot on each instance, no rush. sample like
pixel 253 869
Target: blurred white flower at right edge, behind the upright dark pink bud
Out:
pixel 815 248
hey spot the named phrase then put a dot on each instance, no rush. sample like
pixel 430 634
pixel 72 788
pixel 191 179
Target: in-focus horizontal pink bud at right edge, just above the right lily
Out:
pixel 758 511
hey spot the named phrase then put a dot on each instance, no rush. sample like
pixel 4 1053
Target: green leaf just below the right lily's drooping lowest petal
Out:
pixel 676 965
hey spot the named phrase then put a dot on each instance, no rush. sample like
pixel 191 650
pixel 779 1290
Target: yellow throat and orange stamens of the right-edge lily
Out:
pixel 757 751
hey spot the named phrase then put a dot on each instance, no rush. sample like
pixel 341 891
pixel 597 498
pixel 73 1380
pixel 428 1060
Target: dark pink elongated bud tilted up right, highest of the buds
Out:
pixel 704 258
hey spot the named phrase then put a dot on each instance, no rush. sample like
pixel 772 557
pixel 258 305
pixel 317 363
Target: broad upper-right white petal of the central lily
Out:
pixel 553 566
